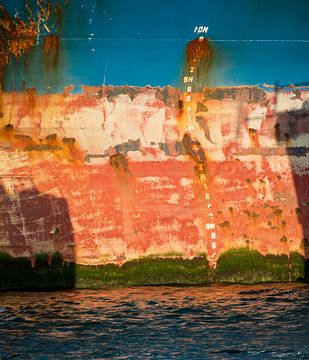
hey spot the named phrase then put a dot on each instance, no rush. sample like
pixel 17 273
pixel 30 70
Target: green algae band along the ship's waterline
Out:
pixel 242 266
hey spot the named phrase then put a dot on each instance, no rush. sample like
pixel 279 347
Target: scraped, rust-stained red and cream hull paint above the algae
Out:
pixel 120 172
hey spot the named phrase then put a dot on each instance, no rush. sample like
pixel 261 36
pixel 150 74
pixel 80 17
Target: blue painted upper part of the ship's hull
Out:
pixel 142 42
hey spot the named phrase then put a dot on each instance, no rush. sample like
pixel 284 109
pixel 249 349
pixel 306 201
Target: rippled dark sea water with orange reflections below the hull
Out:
pixel 215 322
